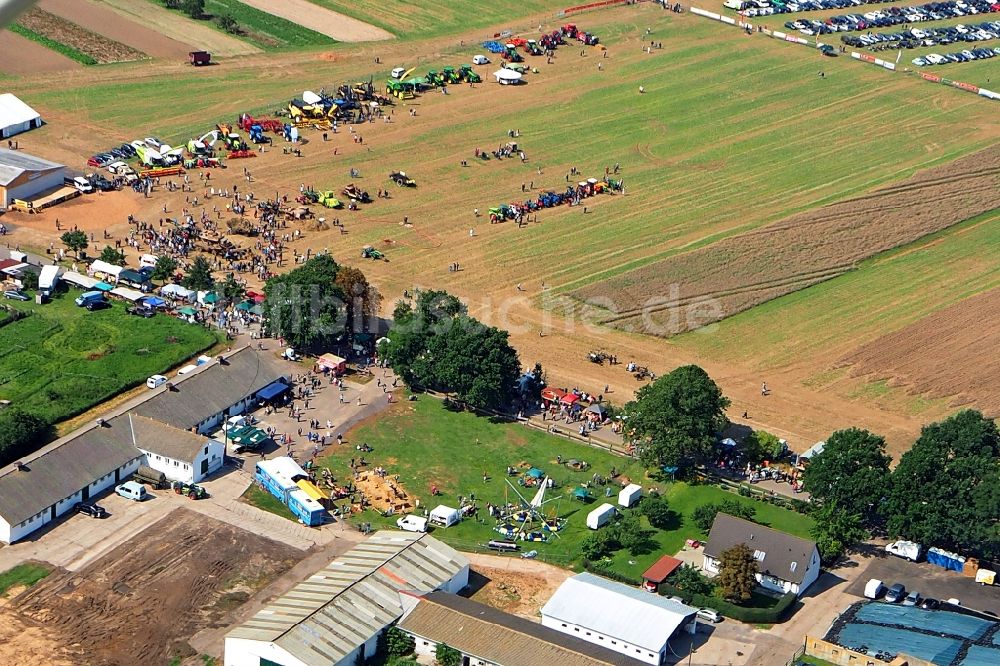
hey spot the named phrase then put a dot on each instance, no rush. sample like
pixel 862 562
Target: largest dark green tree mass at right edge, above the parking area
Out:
pixel 946 489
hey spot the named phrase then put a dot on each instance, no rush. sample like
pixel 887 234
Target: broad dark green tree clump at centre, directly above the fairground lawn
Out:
pixel 434 344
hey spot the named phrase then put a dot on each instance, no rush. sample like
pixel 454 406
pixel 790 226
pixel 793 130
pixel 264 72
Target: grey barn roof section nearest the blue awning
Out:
pixel 217 386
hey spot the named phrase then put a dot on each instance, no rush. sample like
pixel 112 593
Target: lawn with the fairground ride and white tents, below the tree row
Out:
pixel 425 444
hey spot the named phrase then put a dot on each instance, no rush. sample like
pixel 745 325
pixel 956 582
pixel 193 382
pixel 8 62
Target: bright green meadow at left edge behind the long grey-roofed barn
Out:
pixel 62 359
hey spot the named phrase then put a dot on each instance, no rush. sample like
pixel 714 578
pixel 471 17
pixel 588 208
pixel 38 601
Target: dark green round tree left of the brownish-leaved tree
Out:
pixel 305 306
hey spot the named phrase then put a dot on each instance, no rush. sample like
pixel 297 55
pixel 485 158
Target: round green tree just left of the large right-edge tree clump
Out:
pixel 852 471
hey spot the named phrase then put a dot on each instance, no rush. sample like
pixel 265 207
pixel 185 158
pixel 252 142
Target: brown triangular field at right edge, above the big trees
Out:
pixel 949 354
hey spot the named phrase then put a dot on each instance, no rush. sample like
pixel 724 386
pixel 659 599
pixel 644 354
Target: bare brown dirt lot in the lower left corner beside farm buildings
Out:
pixel 139 603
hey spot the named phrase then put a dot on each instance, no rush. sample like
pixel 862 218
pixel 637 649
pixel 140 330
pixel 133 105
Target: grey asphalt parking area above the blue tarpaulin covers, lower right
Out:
pixel 929 581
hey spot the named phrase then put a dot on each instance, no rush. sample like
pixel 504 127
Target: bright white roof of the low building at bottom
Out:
pixel 613 609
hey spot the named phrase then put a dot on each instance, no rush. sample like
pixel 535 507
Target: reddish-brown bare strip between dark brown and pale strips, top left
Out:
pixel 98 18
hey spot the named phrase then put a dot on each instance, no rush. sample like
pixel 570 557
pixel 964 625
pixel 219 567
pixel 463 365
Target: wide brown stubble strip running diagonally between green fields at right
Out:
pixel 697 288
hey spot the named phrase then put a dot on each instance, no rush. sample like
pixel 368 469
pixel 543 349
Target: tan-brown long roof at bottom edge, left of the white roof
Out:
pixel 499 638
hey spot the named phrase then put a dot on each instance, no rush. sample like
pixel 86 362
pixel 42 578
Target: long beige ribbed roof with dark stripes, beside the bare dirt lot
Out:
pixel 327 616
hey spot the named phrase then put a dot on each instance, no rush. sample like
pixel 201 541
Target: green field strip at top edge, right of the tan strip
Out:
pixel 432 18
